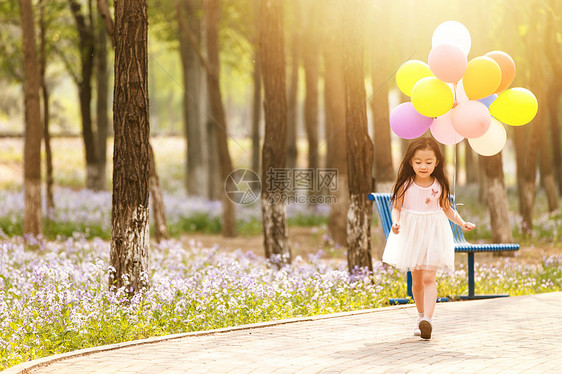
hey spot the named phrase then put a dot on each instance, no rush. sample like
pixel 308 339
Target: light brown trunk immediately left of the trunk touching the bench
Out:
pixel 334 104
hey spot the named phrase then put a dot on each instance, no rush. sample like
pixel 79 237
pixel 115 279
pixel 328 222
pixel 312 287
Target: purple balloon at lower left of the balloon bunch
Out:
pixel 407 123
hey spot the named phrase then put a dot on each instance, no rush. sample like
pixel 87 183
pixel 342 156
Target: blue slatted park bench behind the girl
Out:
pixel 384 208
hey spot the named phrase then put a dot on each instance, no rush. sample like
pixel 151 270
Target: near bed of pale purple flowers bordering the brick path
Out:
pixel 54 296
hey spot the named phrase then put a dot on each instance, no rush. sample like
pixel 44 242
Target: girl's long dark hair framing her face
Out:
pixel 406 172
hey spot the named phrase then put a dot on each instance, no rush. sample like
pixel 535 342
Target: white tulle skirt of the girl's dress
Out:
pixel 425 241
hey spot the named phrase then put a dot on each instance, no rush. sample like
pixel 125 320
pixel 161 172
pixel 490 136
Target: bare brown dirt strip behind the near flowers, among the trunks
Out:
pixel 309 240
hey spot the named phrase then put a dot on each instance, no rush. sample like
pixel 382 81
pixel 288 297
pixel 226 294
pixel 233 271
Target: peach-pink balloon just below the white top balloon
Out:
pixel 447 62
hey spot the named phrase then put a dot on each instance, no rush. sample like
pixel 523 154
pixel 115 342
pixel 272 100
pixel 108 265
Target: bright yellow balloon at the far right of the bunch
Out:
pixel 516 106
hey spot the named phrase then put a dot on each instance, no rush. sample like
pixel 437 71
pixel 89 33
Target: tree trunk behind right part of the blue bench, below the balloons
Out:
pixel 497 199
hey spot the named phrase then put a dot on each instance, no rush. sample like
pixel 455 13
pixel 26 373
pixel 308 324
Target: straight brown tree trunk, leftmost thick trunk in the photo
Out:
pixel 33 216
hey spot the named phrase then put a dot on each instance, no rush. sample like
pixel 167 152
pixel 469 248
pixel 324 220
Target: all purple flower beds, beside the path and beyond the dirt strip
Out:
pixel 54 296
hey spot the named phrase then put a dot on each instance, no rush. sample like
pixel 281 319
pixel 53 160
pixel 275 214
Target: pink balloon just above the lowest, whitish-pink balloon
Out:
pixel 471 119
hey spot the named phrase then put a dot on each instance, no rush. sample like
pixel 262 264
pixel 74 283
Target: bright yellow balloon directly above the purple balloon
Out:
pixel 432 97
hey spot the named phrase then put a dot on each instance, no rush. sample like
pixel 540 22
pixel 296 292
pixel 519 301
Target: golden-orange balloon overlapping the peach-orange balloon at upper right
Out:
pixel 482 78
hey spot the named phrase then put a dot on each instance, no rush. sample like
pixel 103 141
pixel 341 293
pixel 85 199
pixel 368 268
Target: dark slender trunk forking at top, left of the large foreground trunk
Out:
pixel 86 46
